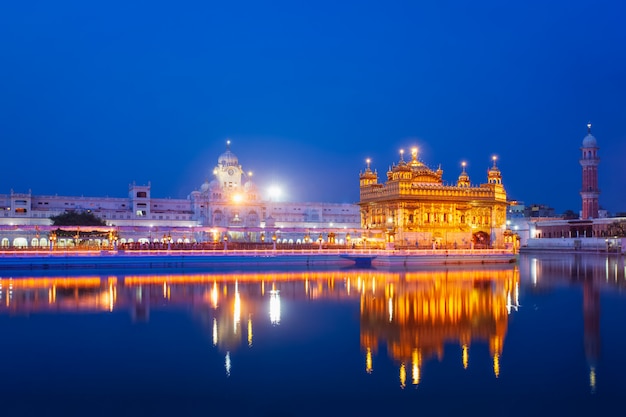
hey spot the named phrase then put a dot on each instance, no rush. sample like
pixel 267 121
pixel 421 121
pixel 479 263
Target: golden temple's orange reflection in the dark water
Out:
pixel 418 313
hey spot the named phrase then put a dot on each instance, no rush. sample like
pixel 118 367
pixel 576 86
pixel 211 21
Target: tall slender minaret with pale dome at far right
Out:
pixel 589 162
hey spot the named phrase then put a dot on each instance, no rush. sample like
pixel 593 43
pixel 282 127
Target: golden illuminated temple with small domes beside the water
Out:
pixel 414 208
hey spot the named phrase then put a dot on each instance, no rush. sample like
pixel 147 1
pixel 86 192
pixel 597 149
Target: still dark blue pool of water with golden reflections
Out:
pixel 545 336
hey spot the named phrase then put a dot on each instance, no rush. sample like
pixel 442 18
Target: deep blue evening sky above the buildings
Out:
pixel 95 95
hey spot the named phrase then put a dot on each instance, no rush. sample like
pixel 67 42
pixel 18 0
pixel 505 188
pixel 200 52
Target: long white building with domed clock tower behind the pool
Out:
pixel 229 204
